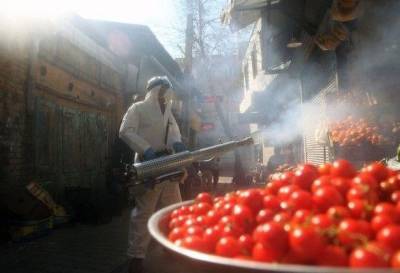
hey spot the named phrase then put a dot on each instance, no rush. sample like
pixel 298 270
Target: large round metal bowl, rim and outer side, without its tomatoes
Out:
pixel 196 261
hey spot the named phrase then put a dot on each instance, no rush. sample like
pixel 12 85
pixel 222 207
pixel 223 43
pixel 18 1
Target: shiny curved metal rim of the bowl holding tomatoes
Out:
pixel 153 226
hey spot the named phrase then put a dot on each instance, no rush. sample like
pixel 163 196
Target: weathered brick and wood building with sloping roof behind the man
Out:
pixel 64 87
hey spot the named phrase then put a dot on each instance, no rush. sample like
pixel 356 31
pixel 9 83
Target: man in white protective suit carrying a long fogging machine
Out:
pixel 150 129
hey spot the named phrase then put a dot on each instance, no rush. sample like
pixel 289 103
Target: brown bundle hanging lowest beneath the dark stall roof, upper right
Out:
pixel 332 38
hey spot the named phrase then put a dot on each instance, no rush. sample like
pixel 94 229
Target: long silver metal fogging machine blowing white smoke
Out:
pixel 171 167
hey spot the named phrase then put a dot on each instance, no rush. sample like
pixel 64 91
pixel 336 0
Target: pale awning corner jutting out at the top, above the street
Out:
pixel 241 13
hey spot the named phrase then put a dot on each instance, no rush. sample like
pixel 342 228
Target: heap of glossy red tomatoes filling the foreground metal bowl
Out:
pixel 330 215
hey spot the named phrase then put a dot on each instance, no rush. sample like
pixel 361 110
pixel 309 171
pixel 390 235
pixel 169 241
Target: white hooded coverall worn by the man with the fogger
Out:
pixel 144 126
